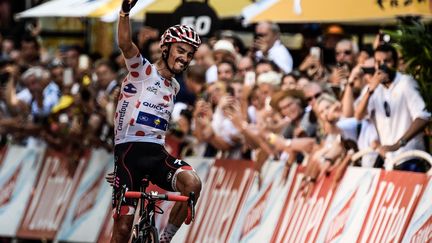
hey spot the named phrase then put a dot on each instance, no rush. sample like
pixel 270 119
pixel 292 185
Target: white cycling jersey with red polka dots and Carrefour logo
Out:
pixel 145 104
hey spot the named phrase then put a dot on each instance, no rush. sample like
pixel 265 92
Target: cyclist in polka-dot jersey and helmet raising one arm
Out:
pixel 141 120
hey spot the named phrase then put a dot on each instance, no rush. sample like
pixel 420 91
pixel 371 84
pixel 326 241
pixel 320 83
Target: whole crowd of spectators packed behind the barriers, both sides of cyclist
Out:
pixel 238 102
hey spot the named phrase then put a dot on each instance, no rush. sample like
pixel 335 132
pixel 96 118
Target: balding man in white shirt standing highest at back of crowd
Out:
pixel 269 46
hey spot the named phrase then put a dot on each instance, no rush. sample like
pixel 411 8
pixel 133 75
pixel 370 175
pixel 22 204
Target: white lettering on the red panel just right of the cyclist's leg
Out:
pixel 219 210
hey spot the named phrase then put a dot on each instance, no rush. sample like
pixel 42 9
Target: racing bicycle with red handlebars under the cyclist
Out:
pixel 145 230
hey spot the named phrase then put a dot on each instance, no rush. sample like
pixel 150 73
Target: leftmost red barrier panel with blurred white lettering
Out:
pixel 52 195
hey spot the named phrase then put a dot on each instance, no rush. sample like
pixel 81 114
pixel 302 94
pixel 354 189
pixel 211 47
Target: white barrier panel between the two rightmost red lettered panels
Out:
pixel 349 206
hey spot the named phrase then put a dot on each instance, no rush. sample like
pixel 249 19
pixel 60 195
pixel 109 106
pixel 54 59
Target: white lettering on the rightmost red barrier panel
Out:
pixel 388 216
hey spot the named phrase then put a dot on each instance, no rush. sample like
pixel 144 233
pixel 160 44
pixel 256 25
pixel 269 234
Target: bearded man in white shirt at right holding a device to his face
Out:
pixel 397 108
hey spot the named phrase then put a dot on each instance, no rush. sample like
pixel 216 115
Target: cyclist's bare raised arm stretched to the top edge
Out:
pixel 128 48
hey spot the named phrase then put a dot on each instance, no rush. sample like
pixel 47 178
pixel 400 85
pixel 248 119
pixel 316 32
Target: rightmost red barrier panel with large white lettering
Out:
pixel 392 206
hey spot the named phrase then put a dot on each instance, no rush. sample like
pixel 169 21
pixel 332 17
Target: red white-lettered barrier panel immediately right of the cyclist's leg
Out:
pixel 223 197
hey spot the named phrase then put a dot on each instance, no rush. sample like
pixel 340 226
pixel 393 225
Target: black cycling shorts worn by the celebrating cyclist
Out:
pixel 134 160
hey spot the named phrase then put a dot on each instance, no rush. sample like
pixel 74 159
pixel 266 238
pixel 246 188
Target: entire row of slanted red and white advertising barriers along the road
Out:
pixel 45 195
